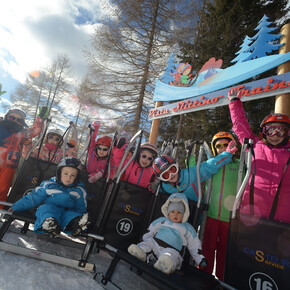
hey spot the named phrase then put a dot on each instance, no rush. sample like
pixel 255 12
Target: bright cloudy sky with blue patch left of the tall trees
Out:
pixel 34 32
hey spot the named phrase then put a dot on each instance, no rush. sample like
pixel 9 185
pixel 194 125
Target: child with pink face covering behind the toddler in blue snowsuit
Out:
pixel 51 150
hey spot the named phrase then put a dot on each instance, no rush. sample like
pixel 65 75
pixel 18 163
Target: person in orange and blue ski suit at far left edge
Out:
pixel 13 133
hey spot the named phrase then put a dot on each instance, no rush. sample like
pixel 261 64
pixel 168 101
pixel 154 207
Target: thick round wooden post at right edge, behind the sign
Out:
pixel 282 102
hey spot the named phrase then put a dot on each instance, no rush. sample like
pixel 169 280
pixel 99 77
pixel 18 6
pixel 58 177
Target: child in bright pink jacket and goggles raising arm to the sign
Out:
pixel 269 182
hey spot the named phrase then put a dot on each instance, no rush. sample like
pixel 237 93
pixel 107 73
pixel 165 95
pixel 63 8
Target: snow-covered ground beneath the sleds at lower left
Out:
pixel 19 272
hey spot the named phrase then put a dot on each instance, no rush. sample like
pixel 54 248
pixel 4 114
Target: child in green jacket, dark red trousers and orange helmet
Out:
pixel 222 196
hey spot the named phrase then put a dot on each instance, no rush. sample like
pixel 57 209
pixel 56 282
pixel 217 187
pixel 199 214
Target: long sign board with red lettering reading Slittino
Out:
pixel 267 87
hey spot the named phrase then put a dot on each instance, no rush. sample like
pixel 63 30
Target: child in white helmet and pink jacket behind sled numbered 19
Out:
pixel 140 170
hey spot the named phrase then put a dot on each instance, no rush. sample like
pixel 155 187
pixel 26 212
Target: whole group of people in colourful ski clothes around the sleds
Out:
pixel 62 200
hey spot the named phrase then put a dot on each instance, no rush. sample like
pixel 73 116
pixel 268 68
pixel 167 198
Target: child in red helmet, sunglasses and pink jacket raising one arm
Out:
pixel 98 155
